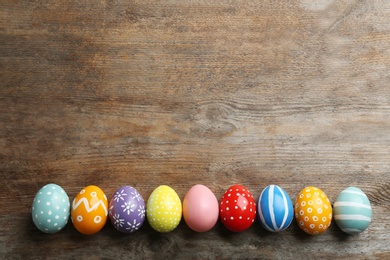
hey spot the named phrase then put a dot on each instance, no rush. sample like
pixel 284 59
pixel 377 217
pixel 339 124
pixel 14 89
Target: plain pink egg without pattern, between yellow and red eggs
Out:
pixel 200 208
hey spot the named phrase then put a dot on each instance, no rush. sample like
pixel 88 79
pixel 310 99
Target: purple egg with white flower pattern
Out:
pixel 127 209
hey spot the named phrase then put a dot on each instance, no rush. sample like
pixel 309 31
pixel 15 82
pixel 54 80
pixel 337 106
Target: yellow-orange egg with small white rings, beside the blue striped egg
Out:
pixel 313 211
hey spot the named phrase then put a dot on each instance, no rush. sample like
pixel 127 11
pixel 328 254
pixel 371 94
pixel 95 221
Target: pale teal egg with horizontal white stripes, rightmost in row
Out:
pixel 352 211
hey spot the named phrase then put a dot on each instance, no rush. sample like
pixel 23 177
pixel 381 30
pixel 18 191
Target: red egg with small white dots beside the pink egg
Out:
pixel 237 209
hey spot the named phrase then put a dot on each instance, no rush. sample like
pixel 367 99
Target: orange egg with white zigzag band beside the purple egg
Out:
pixel 89 210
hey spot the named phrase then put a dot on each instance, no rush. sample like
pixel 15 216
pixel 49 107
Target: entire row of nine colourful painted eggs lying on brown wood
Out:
pixel 237 209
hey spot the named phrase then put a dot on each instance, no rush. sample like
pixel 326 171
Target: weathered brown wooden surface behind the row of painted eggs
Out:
pixel 145 93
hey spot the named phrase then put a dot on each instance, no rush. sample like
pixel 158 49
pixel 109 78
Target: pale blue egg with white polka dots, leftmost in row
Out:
pixel 50 208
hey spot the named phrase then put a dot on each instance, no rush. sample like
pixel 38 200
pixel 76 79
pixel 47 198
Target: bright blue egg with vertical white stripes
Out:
pixel 275 209
